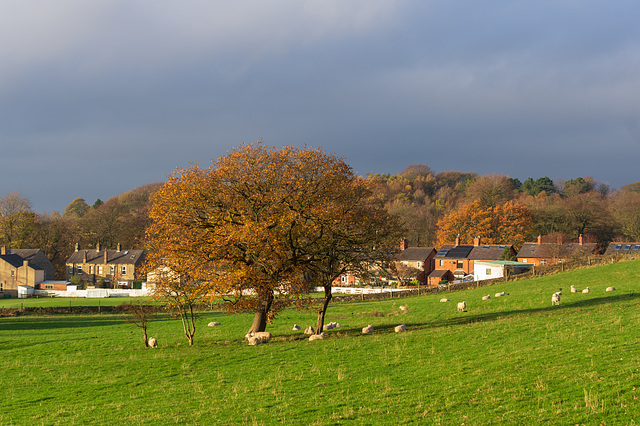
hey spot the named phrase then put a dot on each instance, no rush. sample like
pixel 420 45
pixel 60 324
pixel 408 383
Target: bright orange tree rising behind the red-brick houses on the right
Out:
pixel 508 223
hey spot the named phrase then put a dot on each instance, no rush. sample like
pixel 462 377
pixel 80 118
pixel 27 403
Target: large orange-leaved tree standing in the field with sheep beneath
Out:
pixel 256 226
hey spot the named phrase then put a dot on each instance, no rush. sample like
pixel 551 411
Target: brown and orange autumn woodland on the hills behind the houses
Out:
pixel 432 207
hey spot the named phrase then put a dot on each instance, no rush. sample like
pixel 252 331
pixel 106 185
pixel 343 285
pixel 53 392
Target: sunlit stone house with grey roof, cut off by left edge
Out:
pixel 21 270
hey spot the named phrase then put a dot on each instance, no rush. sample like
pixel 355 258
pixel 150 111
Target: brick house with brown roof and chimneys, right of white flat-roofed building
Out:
pixel 541 253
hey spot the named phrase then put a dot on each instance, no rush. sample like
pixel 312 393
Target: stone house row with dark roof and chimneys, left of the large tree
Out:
pixel 106 268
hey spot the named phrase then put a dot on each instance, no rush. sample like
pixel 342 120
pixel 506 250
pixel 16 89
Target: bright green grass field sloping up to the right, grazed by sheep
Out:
pixel 511 360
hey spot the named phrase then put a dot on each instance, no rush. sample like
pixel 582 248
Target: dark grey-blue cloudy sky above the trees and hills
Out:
pixel 100 97
